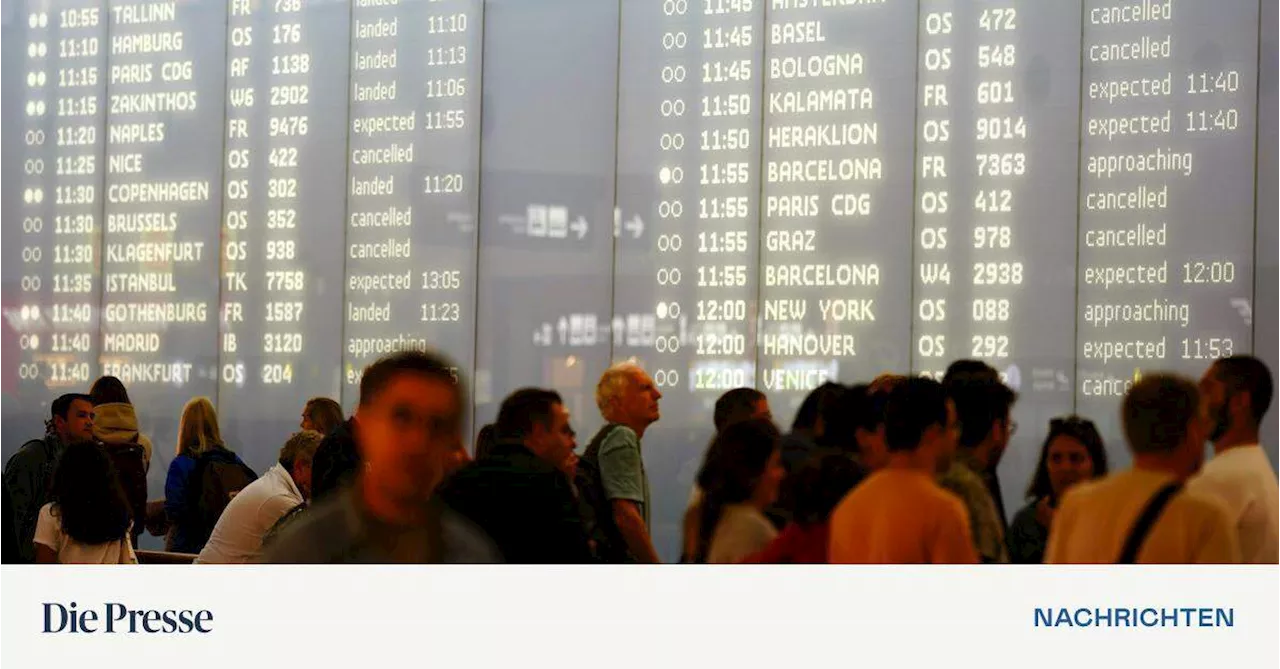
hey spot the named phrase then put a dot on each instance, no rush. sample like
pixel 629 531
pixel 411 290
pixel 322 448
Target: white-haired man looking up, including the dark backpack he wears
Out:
pixel 611 475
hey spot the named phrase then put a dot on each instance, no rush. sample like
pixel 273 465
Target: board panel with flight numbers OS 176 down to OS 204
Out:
pixel 285 176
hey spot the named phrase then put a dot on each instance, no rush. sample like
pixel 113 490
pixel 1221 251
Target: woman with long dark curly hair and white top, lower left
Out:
pixel 88 520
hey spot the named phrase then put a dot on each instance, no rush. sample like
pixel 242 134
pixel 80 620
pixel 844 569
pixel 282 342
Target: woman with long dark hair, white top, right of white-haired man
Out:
pixel 739 479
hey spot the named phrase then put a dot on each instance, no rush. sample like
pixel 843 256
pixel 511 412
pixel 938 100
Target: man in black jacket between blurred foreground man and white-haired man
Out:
pixel 522 493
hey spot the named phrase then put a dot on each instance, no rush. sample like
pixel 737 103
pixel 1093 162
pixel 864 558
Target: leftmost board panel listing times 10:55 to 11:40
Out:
pixel 54 118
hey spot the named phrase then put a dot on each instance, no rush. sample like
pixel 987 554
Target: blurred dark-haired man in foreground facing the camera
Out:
pixel 408 427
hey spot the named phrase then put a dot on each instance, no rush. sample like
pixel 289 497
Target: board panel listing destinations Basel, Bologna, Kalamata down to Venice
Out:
pixel 836 223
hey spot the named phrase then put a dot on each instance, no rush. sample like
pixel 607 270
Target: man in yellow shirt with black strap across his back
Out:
pixel 1099 523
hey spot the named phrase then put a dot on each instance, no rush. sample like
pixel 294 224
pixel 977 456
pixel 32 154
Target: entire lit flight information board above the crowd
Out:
pixel 253 200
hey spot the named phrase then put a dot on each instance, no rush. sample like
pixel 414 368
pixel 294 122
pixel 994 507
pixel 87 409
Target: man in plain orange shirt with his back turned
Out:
pixel 900 515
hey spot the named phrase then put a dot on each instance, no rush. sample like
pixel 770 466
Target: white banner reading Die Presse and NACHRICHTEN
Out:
pixel 644 618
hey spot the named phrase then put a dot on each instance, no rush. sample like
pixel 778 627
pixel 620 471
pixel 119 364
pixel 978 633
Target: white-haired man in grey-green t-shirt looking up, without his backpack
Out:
pixel 629 401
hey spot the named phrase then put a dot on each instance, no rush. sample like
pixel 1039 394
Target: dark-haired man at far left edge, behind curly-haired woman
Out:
pixel 30 473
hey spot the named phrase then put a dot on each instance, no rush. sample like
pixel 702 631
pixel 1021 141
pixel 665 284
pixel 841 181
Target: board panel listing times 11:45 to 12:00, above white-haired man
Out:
pixel 688 222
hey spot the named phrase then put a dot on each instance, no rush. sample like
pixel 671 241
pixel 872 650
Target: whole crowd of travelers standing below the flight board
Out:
pixel 899 470
